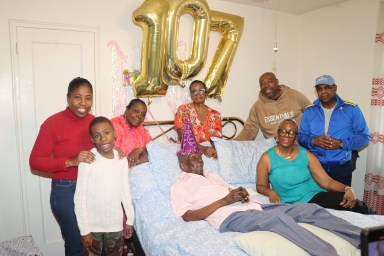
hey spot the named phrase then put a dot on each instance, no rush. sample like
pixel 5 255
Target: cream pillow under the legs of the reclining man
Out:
pixel 269 243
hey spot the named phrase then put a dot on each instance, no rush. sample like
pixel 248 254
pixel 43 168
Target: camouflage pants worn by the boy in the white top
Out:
pixel 113 243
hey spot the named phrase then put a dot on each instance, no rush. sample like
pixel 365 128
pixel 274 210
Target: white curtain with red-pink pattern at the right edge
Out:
pixel 374 177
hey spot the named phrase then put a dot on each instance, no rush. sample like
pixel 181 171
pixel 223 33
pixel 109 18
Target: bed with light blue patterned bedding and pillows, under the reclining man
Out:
pixel 161 233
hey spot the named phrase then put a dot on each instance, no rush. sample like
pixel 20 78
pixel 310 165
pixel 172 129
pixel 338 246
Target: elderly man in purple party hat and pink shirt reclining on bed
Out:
pixel 199 195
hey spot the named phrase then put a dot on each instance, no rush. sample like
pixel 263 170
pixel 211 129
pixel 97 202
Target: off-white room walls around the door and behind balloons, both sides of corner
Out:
pixel 299 60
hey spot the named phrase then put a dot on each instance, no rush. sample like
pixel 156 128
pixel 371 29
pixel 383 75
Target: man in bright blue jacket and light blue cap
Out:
pixel 331 128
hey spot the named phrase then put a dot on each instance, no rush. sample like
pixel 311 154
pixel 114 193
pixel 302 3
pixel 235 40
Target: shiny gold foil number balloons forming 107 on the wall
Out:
pixel 159 20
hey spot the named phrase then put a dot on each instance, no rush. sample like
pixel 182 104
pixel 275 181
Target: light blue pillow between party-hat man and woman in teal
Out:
pixel 238 159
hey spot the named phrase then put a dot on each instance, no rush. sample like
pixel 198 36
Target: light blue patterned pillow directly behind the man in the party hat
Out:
pixel 165 165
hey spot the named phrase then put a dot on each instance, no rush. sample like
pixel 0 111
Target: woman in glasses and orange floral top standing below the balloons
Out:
pixel 206 122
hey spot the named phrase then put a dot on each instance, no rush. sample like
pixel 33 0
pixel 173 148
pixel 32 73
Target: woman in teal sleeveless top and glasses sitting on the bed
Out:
pixel 296 176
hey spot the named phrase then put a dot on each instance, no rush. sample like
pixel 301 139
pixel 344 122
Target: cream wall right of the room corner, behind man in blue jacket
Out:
pixel 339 40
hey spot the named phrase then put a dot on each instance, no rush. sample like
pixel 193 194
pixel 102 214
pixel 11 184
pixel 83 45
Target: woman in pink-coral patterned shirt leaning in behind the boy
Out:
pixel 131 136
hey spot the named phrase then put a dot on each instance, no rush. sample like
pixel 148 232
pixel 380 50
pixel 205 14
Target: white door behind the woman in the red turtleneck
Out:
pixel 45 59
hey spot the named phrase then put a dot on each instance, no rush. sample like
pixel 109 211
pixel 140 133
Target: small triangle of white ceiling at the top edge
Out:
pixel 289 6
